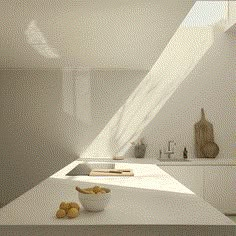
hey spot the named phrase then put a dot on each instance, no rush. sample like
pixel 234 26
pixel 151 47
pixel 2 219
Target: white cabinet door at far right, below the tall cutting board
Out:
pixel 220 188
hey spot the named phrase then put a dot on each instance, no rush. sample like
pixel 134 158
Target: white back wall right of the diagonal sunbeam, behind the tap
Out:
pixel 210 85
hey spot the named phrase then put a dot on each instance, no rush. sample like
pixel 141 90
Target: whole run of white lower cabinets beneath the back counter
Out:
pixel 215 184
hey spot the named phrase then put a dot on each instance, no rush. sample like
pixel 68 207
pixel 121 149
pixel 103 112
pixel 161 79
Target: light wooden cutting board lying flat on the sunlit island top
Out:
pixel 111 172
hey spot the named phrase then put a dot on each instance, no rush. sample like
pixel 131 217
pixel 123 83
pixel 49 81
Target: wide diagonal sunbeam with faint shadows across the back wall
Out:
pixel 181 55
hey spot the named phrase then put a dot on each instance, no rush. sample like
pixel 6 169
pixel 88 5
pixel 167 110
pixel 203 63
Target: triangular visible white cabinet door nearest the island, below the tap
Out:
pixel 190 176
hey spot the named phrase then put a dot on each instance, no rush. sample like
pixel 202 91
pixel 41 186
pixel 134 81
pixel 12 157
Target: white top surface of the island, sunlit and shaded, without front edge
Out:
pixel 151 197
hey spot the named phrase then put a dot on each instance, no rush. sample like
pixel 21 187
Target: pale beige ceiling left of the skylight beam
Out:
pixel 89 33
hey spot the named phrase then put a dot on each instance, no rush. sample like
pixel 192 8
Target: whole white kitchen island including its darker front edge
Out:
pixel 149 203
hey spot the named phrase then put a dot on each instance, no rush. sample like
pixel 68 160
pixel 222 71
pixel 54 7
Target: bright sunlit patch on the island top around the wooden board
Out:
pixel 146 176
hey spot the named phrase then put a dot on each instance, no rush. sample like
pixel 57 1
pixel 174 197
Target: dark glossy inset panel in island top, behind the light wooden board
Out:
pixel 85 168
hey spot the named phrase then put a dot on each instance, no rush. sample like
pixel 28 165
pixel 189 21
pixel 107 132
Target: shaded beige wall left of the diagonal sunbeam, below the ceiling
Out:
pixel 38 135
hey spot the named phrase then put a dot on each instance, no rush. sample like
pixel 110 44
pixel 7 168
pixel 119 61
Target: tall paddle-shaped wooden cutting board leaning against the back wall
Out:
pixel 203 134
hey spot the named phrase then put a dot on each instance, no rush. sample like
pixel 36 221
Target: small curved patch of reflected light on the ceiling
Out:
pixel 37 41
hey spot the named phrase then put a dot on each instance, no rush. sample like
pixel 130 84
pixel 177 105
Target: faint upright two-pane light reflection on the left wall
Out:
pixel 77 94
